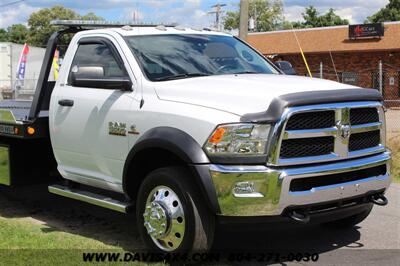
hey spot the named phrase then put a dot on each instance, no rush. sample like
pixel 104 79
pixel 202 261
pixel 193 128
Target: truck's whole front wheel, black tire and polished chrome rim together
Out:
pixel 171 215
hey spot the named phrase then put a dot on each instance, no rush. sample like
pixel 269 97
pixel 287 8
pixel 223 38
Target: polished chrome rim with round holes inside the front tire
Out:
pixel 164 218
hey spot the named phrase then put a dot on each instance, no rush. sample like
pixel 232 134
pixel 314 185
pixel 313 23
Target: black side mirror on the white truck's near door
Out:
pixel 93 77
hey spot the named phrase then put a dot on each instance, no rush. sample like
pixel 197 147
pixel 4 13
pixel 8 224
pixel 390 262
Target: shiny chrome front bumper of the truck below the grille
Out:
pixel 261 191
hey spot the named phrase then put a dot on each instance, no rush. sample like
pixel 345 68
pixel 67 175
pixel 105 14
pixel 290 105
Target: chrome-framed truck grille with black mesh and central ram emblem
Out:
pixel 339 131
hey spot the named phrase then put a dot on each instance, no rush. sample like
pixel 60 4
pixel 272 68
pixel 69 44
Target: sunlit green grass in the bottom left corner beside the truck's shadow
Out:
pixel 26 242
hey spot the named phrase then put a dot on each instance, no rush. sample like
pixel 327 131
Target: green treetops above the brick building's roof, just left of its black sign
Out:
pixel 313 19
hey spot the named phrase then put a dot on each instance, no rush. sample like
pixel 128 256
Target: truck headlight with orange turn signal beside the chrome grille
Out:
pixel 238 139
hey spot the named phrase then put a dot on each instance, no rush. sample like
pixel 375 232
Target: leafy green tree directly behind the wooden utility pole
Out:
pixel 268 15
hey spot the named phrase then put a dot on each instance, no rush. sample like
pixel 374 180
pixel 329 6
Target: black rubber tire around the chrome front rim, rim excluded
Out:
pixel 199 221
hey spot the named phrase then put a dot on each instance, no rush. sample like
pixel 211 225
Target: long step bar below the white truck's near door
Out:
pixel 91 198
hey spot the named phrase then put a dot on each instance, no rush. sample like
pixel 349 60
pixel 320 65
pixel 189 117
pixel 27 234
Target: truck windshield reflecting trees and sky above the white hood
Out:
pixel 166 57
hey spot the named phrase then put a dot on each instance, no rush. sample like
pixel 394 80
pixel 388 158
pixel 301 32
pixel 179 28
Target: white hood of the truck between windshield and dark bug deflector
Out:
pixel 240 94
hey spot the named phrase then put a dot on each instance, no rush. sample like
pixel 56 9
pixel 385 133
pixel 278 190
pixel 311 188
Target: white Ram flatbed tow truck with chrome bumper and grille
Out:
pixel 189 128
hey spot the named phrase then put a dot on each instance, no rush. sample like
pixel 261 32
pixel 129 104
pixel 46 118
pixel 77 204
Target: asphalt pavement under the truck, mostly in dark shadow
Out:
pixel 376 241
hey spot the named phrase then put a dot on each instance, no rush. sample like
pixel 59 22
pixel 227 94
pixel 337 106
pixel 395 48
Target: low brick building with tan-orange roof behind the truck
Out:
pixel 356 61
